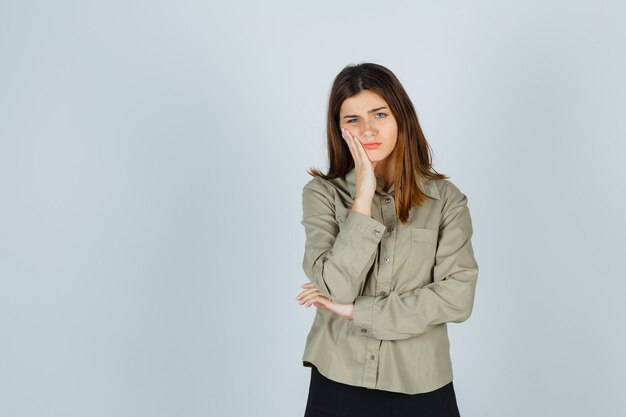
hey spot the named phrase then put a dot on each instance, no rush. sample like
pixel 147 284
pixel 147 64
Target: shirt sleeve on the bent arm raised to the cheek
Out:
pixel 337 255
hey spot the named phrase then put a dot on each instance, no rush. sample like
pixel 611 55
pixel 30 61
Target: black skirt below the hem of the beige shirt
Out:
pixel 328 398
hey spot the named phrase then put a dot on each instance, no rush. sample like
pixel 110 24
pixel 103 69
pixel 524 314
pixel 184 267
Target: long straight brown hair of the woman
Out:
pixel 413 162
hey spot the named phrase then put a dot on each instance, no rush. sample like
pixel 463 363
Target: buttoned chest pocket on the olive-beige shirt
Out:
pixel 422 254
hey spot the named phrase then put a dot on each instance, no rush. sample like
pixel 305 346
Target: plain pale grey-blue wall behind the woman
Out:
pixel 152 157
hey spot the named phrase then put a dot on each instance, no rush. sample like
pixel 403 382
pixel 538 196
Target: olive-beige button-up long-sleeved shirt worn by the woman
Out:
pixel 406 281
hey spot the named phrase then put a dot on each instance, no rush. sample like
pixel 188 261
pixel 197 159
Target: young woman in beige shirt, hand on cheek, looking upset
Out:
pixel 389 259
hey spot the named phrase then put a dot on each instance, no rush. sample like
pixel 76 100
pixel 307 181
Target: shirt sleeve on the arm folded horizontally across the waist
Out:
pixel 449 298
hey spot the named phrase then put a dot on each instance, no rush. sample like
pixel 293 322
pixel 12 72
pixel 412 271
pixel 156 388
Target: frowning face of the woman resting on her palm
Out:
pixel 368 117
